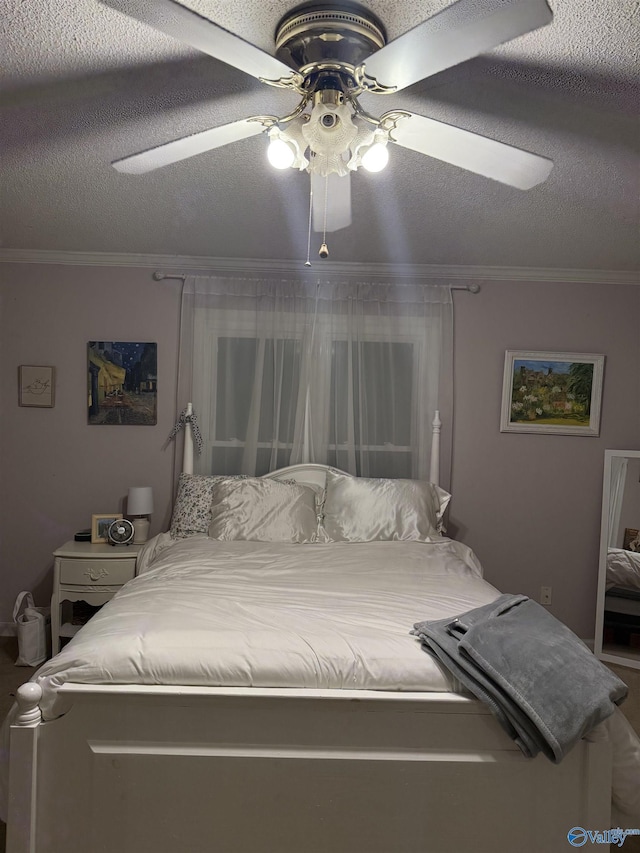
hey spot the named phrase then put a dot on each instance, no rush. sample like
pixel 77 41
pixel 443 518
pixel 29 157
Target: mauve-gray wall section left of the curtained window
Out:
pixel 56 470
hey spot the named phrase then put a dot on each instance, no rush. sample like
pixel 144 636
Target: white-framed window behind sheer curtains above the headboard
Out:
pixel 256 395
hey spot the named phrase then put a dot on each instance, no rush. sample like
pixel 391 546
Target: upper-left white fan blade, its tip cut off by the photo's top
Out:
pixel 190 28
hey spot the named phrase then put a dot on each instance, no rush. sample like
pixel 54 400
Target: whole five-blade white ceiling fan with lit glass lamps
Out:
pixel 330 53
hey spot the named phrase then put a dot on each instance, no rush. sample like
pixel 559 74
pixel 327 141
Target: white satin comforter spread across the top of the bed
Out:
pixel 337 615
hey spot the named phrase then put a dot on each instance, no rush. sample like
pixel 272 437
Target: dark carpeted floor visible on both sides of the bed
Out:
pixel 12 676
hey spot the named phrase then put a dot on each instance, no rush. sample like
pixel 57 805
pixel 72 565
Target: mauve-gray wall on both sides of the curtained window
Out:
pixel 529 505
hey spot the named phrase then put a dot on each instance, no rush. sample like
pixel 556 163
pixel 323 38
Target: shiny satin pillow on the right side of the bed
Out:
pixel 361 509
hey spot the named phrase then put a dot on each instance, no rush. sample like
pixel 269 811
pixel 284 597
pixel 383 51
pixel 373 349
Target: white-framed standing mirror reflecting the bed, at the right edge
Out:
pixel 617 638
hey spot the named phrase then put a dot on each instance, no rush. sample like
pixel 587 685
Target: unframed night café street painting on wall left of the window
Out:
pixel 122 383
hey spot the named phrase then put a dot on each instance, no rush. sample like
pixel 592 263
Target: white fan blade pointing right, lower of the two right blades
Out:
pixel 472 152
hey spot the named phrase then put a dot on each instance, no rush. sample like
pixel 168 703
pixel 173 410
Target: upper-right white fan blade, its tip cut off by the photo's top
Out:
pixel 457 33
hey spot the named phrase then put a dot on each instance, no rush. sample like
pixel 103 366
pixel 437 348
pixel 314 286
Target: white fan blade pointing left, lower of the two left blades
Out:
pixel 188 146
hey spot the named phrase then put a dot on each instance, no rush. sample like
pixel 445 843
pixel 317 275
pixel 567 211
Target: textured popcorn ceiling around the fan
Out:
pixel 82 85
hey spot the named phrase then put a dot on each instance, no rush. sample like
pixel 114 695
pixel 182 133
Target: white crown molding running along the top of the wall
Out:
pixel 178 264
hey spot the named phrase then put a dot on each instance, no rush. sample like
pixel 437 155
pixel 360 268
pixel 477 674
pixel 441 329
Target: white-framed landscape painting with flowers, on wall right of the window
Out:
pixel 552 392
